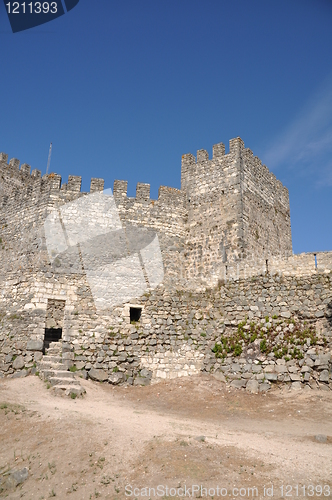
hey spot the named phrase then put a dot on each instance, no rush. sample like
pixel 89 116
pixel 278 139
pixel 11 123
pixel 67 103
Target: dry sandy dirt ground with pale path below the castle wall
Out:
pixel 175 436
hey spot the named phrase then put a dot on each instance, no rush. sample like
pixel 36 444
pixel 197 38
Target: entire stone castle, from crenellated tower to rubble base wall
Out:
pixel 226 249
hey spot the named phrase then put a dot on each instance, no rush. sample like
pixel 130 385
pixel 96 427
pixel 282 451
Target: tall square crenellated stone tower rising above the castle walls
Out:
pixel 237 210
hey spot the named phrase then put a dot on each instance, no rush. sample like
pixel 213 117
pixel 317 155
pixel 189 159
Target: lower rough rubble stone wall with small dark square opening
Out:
pixel 178 331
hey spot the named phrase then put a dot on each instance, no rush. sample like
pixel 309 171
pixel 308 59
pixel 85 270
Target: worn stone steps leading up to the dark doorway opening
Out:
pixel 55 371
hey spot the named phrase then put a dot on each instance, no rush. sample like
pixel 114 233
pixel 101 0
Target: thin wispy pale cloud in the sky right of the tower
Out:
pixel 308 139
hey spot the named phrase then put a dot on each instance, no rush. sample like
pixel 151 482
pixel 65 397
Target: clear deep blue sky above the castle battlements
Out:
pixel 124 88
